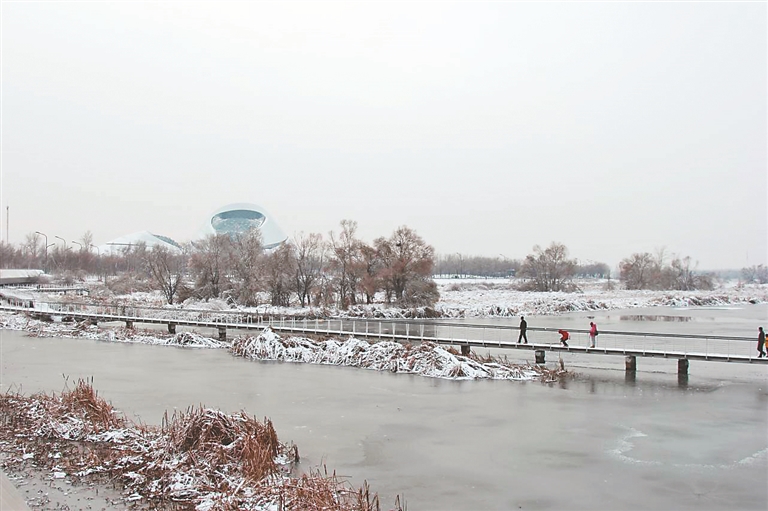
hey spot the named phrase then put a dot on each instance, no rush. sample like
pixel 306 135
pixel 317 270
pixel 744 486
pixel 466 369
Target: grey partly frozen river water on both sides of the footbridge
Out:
pixel 600 441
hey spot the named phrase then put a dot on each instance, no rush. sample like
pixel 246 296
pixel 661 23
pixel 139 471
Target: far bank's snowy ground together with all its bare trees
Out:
pixel 339 275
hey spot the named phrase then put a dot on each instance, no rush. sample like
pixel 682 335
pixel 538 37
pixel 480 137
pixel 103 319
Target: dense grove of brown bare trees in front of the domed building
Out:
pixel 338 270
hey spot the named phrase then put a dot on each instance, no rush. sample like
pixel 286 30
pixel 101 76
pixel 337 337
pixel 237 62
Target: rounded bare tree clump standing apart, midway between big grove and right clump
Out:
pixel 549 269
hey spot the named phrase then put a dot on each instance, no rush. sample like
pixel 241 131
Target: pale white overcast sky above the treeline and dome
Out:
pixel 613 128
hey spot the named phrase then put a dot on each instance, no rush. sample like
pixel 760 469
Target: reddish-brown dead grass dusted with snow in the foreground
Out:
pixel 200 457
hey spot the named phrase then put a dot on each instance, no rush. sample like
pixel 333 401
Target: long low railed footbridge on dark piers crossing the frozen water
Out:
pixel 465 336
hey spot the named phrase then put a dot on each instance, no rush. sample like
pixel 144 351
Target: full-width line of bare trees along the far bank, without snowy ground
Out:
pixel 338 270
